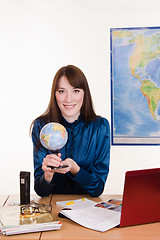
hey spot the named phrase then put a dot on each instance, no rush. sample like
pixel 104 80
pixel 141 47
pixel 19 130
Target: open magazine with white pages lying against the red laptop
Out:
pixel 96 216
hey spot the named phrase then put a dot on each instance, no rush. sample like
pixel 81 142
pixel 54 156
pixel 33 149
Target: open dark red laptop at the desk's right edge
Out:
pixel 141 197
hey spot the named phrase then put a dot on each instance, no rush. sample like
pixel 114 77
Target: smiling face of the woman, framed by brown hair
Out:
pixel 69 99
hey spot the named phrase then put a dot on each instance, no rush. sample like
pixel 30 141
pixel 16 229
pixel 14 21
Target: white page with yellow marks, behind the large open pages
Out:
pixel 76 204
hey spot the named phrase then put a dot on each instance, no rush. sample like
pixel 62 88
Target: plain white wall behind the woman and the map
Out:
pixel 37 38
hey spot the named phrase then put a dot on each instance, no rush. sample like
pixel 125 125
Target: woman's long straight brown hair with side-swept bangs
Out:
pixel 77 79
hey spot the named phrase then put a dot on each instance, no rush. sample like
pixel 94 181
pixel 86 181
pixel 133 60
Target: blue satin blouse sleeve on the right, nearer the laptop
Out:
pixel 93 182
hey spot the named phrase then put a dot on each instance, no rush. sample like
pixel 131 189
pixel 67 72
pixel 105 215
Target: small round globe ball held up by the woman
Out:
pixel 53 136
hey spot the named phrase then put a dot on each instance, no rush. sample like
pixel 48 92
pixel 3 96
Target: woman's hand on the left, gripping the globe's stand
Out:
pixel 51 160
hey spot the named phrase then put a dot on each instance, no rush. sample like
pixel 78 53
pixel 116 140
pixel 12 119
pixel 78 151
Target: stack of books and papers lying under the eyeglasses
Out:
pixel 12 222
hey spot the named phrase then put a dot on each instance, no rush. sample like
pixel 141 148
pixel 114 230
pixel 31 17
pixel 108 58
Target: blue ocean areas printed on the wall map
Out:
pixel 132 117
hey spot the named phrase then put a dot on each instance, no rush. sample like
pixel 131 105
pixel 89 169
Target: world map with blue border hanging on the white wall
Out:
pixel 135 83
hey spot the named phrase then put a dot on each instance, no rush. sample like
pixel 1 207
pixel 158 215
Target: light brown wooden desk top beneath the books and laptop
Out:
pixel 73 231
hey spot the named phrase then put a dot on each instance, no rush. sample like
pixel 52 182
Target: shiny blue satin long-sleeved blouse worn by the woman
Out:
pixel 89 146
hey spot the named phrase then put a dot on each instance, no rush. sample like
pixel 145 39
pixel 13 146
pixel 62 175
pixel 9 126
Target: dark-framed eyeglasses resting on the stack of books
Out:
pixel 35 208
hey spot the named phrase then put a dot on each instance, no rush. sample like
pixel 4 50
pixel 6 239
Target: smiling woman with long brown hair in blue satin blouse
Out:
pixel 87 151
